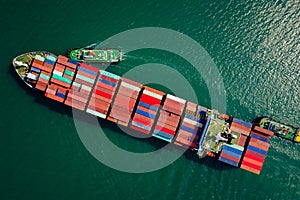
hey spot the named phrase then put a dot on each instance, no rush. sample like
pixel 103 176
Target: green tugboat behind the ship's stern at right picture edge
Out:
pixel 280 129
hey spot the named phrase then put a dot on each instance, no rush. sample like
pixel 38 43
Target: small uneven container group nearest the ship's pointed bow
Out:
pixel 42 68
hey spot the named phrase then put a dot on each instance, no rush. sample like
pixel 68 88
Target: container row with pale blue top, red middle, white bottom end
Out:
pixel 103 94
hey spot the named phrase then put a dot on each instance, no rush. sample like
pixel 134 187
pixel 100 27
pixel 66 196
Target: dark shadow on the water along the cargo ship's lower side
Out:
pixel 112 127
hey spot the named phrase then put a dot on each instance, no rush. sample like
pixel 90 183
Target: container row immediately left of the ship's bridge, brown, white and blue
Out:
pixel 191 126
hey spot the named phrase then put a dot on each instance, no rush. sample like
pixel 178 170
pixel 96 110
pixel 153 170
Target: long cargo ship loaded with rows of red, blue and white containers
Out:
pixel 146 110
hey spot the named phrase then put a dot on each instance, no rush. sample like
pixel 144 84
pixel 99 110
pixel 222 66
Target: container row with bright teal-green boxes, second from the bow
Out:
pixel 61 79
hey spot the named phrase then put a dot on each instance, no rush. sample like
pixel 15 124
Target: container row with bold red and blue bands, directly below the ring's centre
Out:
pixel 147 110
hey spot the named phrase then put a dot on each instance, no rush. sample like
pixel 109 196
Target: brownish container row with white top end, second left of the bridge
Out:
pixel 169 118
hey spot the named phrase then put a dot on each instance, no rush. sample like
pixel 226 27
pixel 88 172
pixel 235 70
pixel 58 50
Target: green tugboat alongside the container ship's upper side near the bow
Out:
pixel 95 55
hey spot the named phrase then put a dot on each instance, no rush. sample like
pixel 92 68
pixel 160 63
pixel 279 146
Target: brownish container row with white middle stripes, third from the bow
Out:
pixel 82 86
